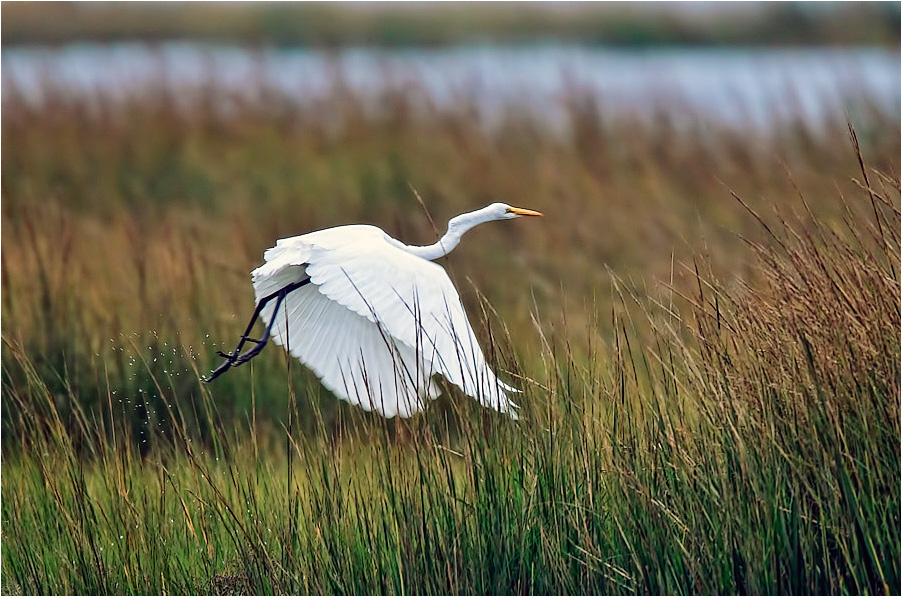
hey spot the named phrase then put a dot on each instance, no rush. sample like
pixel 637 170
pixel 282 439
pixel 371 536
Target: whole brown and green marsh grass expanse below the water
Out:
pixel 733 430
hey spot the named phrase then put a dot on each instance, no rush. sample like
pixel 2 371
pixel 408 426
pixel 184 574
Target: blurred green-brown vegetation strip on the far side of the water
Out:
pixel 628 24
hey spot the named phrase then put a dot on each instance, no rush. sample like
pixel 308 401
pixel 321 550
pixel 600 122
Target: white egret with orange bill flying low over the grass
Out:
pixel 373 318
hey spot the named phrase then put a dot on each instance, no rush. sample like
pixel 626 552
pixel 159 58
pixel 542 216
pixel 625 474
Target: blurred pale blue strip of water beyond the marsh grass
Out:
pixel 758 87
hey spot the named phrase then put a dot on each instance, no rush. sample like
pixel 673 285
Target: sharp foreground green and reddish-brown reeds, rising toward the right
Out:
pixel 750 444
